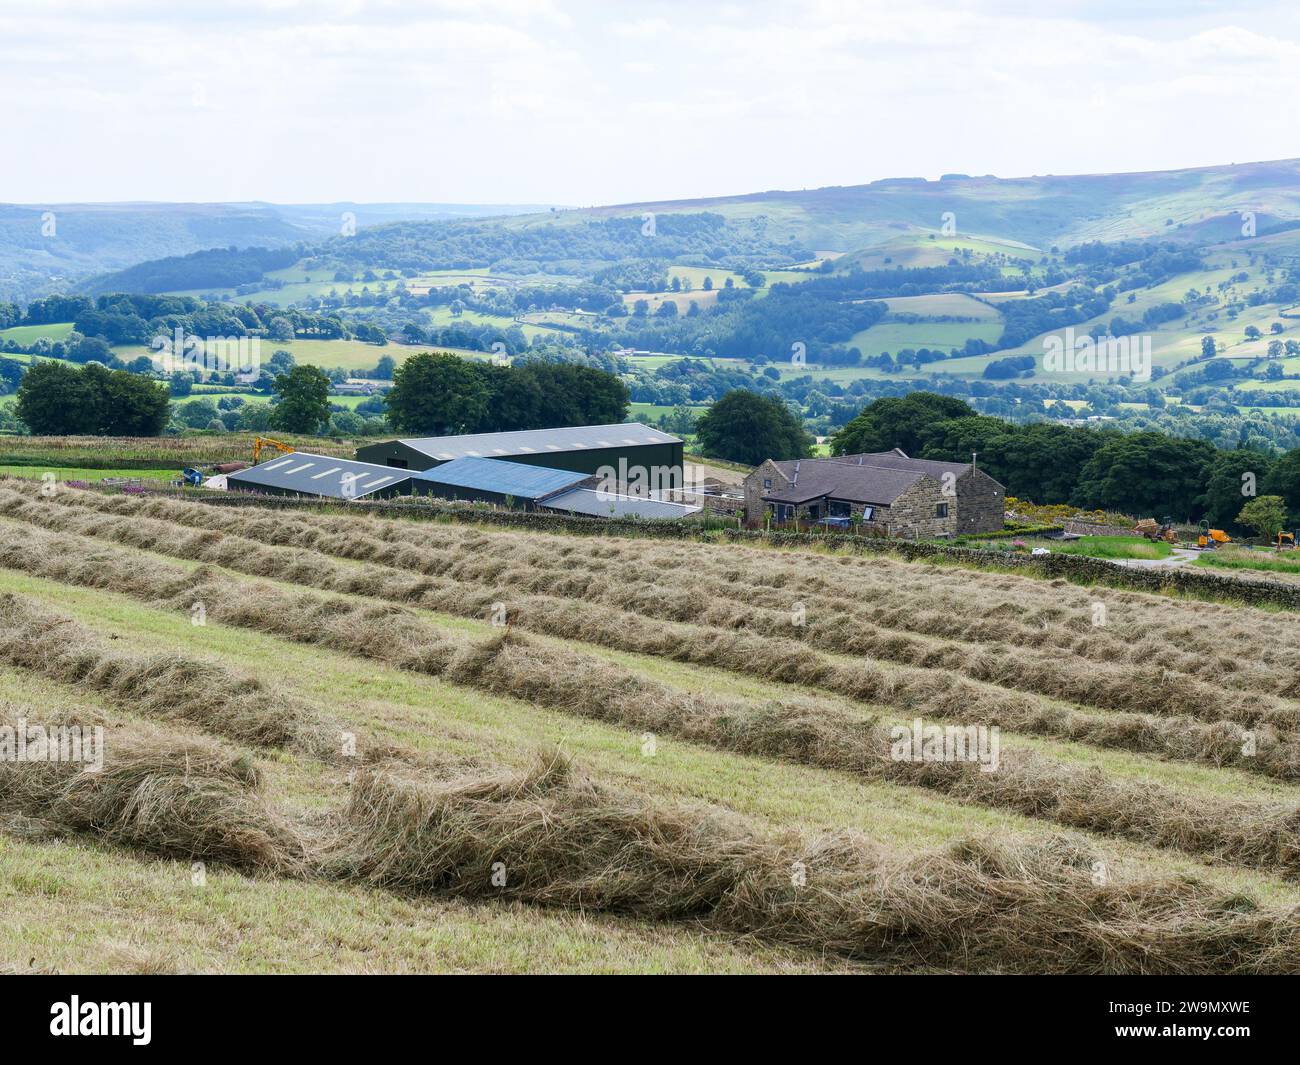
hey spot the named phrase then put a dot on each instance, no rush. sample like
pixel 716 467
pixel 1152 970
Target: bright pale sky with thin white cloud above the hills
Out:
pixel 551 102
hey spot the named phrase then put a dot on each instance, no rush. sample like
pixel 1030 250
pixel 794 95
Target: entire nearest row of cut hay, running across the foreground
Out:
pixel 556 839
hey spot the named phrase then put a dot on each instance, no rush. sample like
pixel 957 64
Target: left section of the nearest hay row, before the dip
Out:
pixel 188 799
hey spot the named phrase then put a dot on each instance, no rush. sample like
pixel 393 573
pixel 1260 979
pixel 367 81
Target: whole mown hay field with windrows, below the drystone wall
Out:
pixel 354 743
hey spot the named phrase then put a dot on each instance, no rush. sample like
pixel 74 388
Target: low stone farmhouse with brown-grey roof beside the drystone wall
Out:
pixel 887 492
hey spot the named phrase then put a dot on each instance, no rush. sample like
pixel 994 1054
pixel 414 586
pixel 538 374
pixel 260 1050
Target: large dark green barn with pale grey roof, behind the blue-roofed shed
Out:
pixel 584 449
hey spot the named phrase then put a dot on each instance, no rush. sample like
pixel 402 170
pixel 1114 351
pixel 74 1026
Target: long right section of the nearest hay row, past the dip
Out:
pixel 553 838
